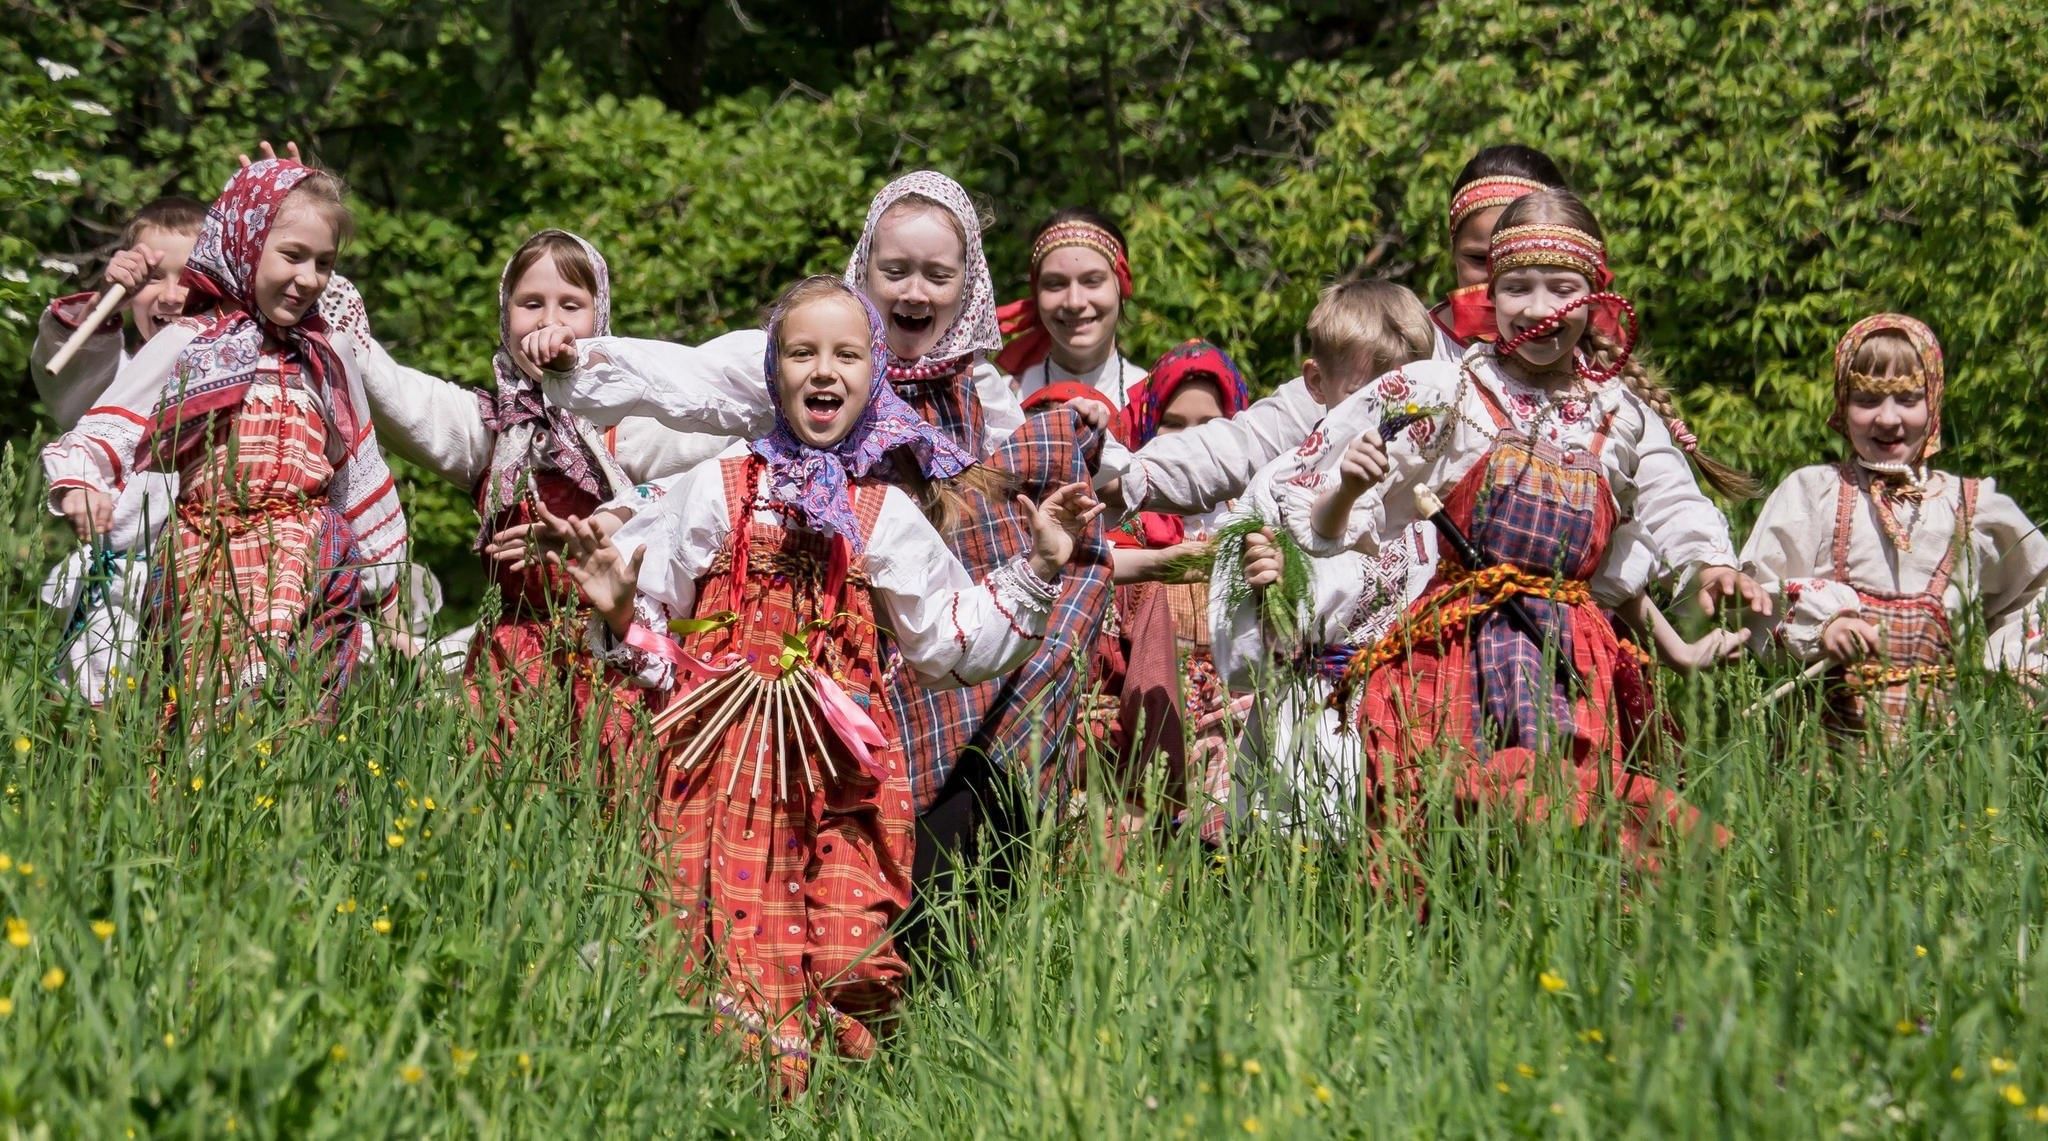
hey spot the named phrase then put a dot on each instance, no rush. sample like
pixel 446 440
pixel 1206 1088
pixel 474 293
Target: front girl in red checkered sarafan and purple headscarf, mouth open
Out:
pixel 759 593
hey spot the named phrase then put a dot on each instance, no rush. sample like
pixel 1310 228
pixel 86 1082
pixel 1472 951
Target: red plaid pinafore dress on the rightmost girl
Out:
pixel 1918 659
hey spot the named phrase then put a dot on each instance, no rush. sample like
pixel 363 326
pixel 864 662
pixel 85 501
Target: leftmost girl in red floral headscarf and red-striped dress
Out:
pixel 288 525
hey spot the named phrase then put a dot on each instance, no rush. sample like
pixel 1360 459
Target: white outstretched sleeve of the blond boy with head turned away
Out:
pixel 1205 468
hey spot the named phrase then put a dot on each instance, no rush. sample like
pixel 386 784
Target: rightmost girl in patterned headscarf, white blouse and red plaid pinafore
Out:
pixel 1904 552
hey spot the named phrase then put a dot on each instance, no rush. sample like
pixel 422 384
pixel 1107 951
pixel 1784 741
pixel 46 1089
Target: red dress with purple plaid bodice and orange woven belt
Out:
pixel 1447 671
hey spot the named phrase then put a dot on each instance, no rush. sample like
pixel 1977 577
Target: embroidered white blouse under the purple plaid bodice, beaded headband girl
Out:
pixel 1648 474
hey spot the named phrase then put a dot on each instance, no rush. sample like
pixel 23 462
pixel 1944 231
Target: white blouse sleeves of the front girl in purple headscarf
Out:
pixel 947 628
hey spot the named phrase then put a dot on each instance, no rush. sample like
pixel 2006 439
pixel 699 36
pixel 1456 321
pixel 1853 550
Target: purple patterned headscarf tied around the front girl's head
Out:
pixel 816 480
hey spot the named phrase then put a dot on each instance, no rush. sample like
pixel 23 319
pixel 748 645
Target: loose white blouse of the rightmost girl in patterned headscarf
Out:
pixel 2004 562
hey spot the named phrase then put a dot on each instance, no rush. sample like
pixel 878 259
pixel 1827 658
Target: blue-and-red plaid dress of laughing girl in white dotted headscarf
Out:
pixel 1021 722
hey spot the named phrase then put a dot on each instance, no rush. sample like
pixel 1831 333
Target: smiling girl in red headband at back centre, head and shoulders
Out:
pixel 1066 327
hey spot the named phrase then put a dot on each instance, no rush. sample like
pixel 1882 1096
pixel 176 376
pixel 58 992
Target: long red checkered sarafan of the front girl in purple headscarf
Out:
pixel 783 888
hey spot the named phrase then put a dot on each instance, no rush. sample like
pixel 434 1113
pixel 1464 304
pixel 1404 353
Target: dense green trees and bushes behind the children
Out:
pixel 1766 173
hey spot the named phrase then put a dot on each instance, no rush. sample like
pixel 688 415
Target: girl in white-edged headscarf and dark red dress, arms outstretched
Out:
pixel 513 452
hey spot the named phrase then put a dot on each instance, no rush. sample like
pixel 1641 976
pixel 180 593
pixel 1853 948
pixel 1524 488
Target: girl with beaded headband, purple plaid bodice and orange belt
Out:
pixel 1510 673
